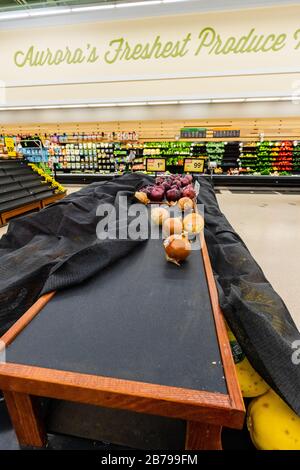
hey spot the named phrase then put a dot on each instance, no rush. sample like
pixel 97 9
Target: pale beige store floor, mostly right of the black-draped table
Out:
pixel 270 226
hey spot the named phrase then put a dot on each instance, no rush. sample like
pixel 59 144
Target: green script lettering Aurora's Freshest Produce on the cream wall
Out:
pixel 209 42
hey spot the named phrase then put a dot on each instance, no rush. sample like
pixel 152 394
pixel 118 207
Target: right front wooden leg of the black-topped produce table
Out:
pixel 201 436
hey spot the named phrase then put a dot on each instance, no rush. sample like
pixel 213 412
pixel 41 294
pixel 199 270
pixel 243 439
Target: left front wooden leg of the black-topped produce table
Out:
pixel 24 414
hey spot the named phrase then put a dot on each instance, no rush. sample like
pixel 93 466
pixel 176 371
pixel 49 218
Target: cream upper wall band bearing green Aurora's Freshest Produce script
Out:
pixel 114 60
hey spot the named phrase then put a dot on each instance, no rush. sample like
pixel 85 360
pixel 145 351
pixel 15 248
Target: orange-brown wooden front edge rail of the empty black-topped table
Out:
pixel 213 408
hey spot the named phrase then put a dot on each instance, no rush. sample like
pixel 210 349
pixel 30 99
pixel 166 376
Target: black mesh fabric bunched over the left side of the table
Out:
pixel 58 247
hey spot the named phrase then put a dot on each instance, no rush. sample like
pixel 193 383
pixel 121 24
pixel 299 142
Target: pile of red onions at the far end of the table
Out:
pixel 170 188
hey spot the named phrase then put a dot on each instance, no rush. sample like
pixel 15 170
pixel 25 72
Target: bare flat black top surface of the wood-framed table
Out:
pixel 140 319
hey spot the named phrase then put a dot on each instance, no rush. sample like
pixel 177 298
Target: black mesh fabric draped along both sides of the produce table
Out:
pixel 58 247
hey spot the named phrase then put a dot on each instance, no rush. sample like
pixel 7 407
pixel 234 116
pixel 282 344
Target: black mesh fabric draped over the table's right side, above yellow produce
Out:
pixel 256 314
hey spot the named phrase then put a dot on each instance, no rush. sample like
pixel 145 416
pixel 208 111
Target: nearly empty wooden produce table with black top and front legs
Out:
pixel 143 335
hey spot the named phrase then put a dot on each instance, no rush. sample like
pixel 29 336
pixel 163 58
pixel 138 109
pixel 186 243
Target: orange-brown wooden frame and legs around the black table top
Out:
pixel 204 412
